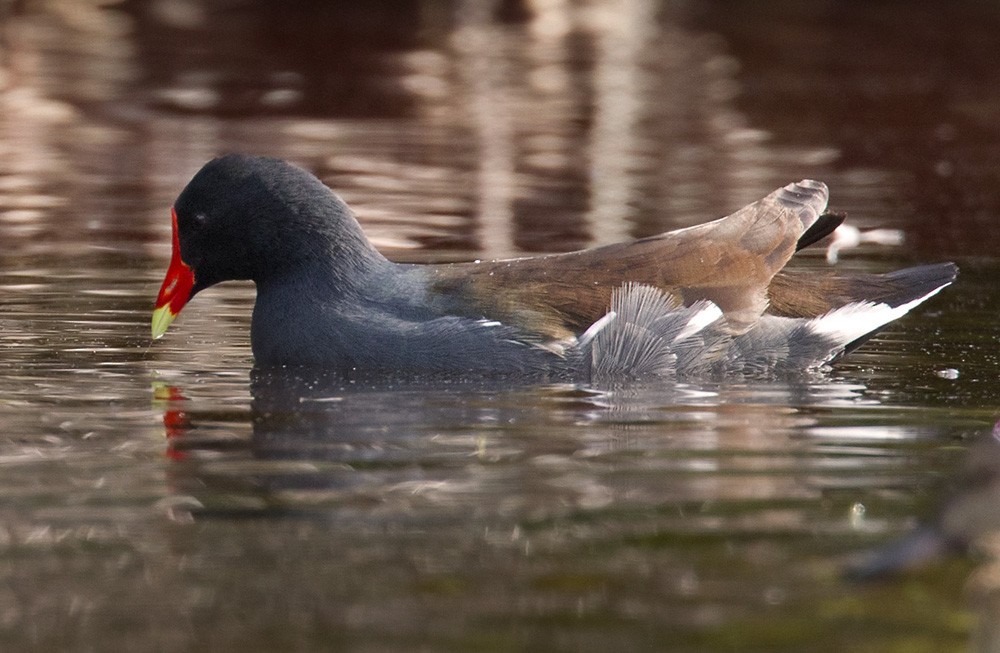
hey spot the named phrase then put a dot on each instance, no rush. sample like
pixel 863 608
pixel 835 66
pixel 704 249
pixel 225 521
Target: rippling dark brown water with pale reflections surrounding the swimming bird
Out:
pixel 155 496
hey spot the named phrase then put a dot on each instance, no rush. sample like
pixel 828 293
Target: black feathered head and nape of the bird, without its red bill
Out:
pixel 246 217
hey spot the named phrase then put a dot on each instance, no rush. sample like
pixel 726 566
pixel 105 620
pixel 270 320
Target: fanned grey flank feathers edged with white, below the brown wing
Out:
pixel 644 334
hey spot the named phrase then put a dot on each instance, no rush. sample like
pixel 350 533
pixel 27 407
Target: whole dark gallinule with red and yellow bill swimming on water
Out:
pixel 707 299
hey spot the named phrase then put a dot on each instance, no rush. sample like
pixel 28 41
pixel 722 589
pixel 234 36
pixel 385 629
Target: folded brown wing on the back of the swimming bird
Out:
pixel 730 261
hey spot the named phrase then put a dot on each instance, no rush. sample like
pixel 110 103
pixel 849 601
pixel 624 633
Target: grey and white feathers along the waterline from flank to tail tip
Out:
pixel 648 333
